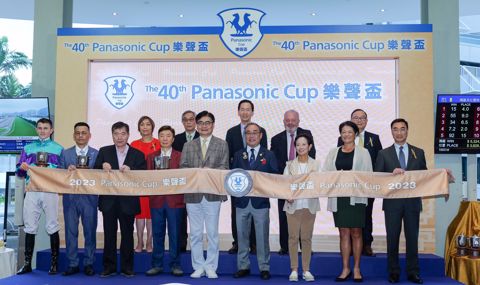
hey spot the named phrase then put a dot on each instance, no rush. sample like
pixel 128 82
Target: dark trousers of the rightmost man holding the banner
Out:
pixel 393 225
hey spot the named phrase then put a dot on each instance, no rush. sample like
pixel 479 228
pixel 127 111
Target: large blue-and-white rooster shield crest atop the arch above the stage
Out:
pixel 241 29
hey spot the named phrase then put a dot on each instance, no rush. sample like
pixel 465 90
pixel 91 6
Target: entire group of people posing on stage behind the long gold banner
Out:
pixel 292 152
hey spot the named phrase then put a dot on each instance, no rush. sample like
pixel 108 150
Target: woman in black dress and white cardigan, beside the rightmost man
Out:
pixel 349 212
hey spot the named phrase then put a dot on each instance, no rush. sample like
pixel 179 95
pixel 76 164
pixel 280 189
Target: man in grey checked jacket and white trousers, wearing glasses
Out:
pixel 203 209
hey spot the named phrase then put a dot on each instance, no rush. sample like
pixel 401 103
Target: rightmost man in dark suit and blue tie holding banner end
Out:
pixel 397 159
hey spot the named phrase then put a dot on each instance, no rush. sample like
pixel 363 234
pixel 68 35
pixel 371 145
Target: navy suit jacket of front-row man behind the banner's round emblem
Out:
pixel 264 162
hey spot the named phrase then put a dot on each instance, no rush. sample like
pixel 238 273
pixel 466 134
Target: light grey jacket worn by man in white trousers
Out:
pixel 216 157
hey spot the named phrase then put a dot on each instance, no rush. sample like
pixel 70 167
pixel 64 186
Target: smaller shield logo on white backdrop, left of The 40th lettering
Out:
pixel 119 90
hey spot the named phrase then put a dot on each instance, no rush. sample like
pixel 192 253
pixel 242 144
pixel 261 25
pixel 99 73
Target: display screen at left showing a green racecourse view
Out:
pixel 18 118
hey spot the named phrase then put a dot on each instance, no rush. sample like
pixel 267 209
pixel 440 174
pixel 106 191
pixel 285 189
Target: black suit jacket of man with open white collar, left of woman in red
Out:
pixel 135 159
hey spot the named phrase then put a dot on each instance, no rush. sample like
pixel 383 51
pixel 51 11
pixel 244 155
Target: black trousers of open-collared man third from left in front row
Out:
pixel 110 220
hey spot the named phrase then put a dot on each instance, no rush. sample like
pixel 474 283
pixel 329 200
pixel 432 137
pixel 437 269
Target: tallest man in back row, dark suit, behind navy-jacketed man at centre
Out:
pixel 236 141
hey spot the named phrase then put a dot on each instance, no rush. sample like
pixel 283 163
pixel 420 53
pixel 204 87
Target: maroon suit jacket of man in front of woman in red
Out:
pixel 173 201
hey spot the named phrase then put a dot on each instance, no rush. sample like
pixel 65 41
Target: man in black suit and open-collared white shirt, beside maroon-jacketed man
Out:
pixel 119 209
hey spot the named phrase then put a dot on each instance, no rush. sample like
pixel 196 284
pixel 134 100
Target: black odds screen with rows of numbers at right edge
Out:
pixel 457 124
